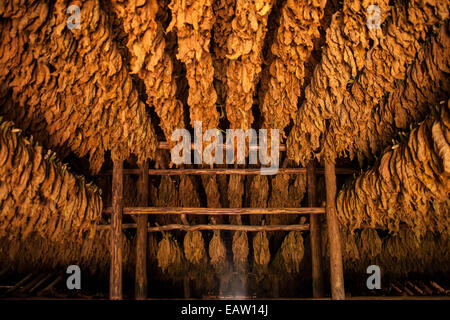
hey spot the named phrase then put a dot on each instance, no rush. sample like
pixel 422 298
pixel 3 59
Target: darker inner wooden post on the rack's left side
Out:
pixel 141 243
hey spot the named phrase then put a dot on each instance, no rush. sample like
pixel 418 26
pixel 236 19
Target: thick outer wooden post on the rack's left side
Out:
pixel 115 281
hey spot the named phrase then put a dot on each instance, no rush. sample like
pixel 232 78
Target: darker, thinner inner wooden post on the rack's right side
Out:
pixel 316 257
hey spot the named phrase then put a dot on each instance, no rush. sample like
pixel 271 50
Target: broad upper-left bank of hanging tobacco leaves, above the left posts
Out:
pixel 69 87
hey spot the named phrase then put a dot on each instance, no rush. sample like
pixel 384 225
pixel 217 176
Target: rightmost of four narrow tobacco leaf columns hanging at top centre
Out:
pixel 292 47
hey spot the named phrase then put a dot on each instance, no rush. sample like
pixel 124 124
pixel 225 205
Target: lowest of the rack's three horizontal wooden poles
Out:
pixel 293 227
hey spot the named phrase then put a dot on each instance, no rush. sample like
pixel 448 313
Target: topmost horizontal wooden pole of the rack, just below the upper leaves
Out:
pixel 226 171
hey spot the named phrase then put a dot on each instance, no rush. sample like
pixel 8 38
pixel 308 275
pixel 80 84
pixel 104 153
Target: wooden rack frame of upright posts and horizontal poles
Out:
pixel 117 211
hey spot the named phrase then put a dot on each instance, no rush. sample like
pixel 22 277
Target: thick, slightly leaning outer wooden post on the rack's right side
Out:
pixel 336 268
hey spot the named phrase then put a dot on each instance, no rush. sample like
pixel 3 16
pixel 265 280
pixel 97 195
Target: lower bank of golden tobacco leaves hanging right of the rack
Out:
pixel 408 185
